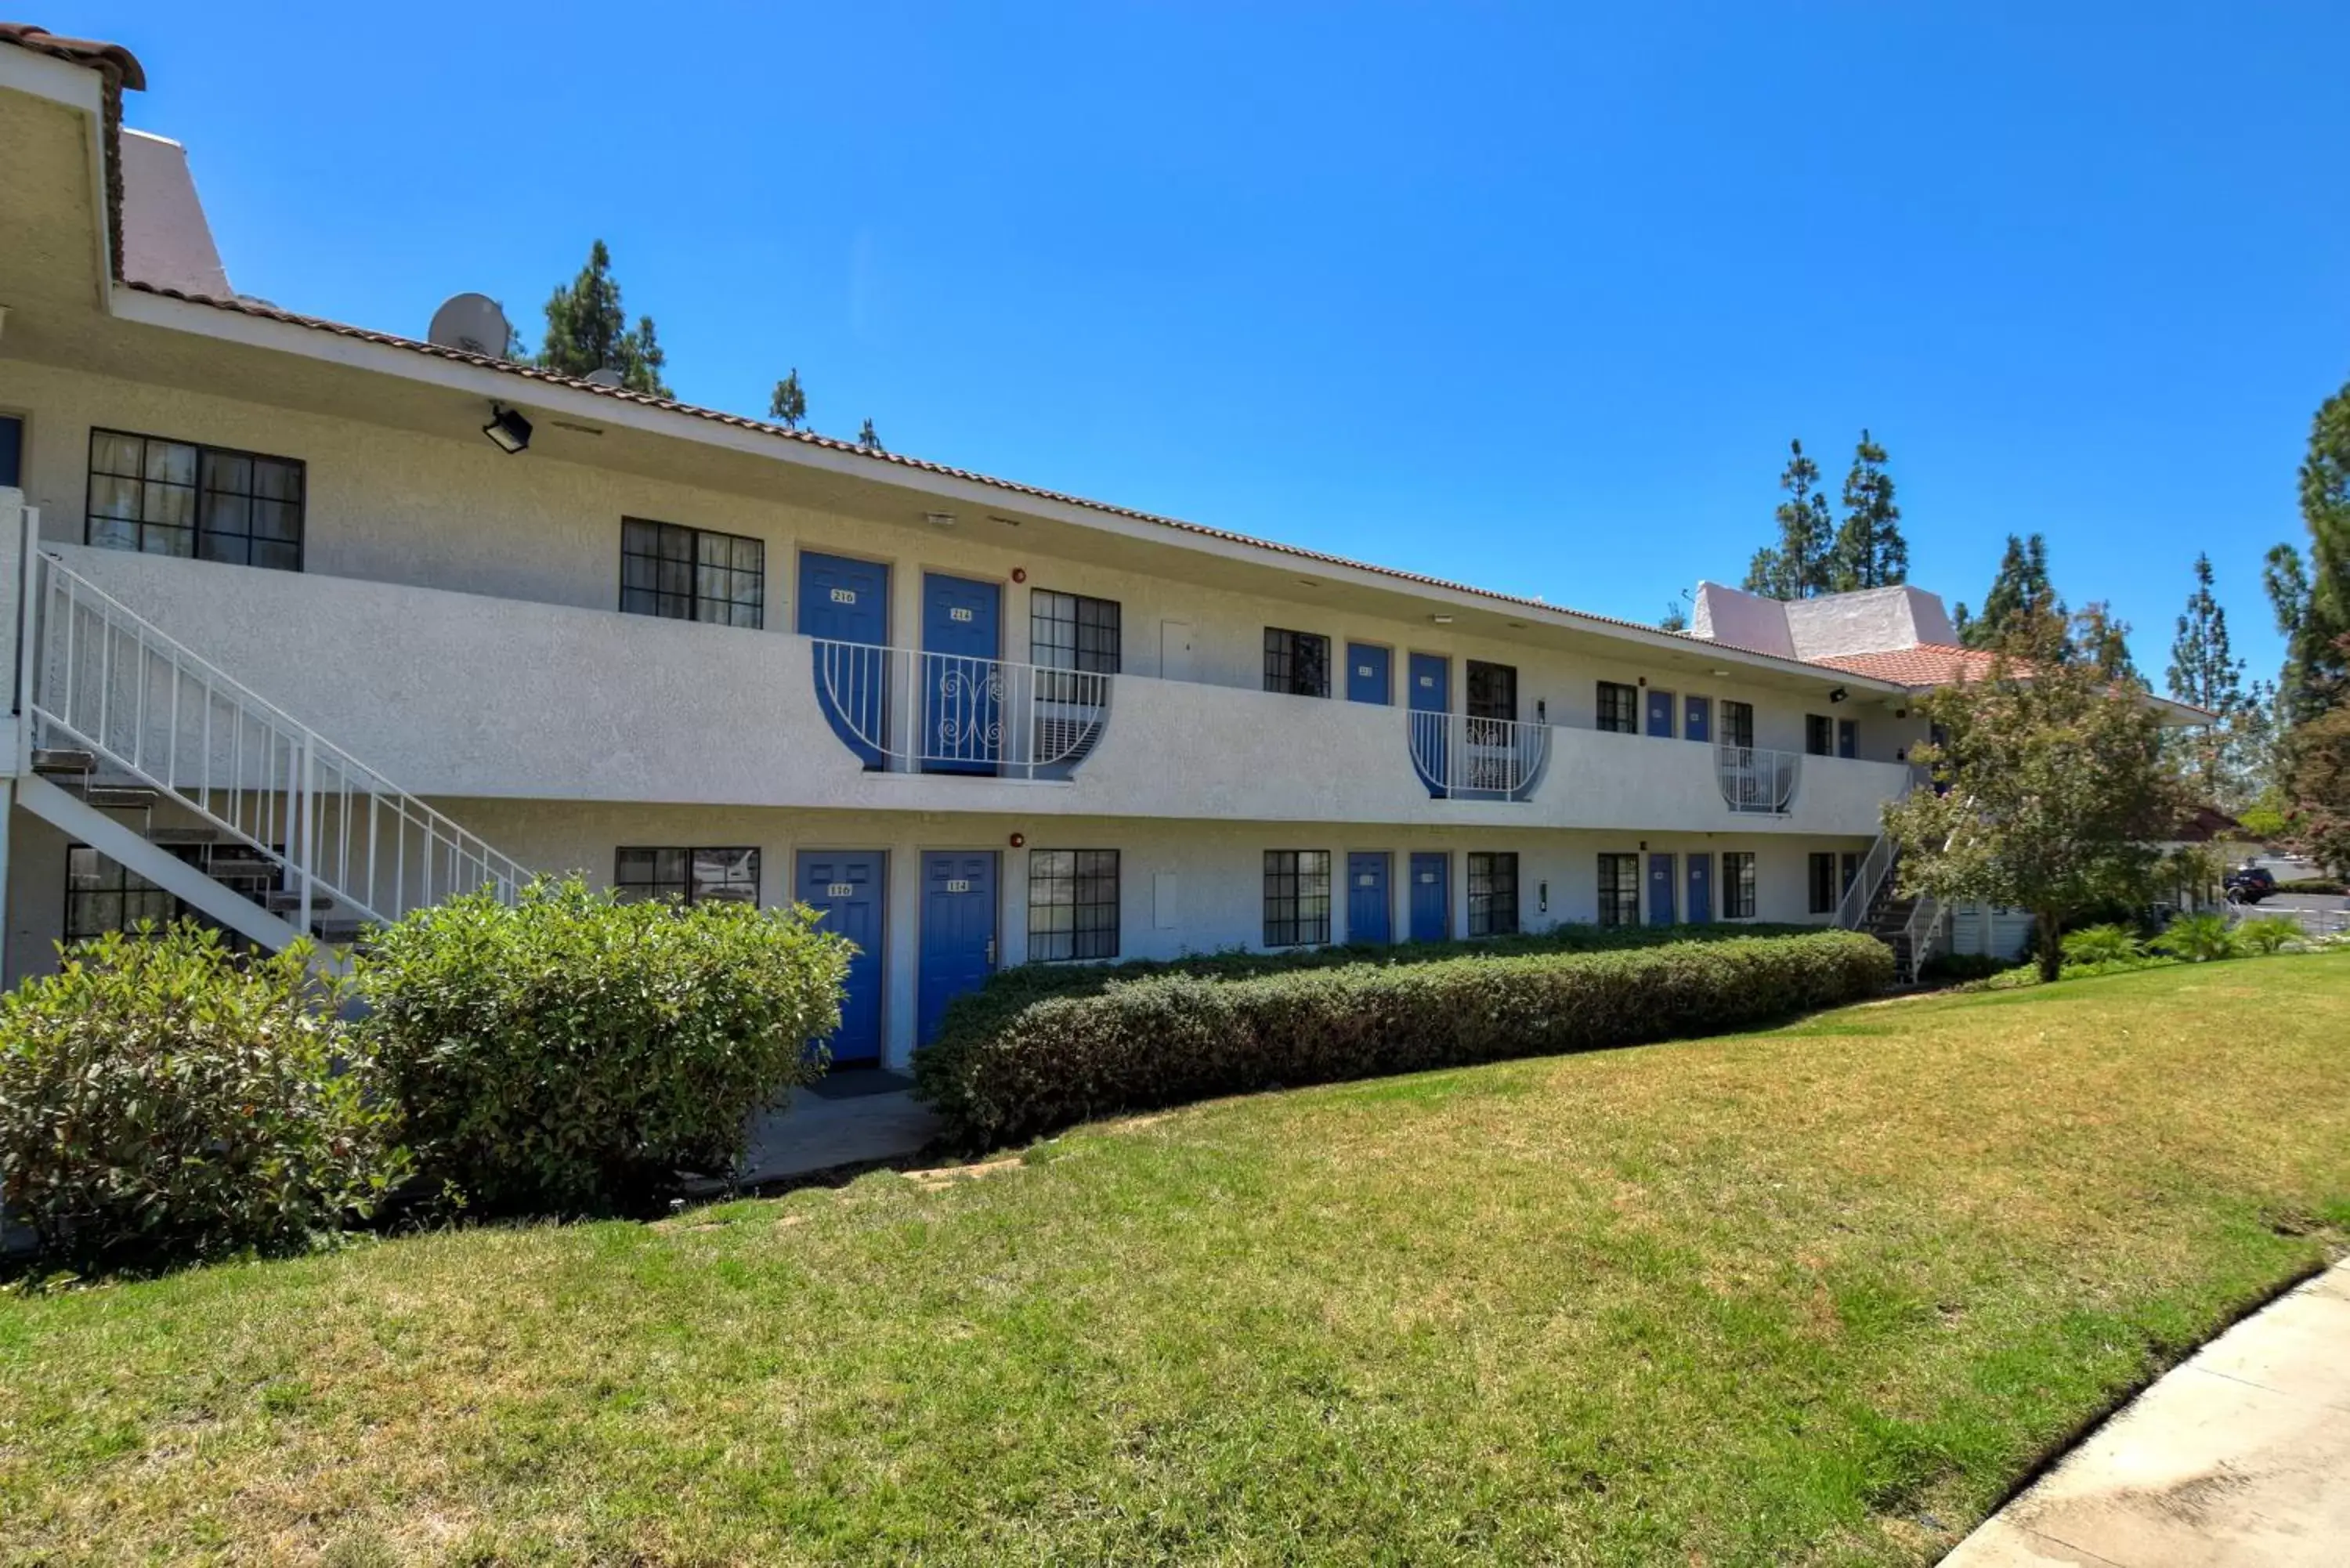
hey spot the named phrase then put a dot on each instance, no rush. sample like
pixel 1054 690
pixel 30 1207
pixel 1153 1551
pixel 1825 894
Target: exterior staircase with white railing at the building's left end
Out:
pixel 140 749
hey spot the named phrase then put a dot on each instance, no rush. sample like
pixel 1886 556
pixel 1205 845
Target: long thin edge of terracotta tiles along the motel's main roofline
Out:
pixel 828 443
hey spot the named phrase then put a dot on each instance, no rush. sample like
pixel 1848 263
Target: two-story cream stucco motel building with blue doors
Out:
pixel 304 645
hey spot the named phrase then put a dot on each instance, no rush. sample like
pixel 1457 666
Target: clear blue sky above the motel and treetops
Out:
pixel 1510 295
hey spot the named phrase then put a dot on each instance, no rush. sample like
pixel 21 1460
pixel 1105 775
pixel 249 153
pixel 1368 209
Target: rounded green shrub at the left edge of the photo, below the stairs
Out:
pixel 166 1099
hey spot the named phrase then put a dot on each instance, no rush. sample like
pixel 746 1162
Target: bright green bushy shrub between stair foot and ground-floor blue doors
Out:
pixel 575 1052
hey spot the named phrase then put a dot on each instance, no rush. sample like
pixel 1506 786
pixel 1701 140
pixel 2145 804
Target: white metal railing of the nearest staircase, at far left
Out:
pixel 102 678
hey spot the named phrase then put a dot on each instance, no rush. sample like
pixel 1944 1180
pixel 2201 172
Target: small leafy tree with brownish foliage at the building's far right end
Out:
pixel 2053 784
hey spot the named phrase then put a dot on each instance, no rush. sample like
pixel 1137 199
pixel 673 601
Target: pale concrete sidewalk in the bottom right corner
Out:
pixel 2238 1456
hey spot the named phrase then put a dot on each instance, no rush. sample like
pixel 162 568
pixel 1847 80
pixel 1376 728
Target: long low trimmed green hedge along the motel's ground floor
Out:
pixel 1016 1064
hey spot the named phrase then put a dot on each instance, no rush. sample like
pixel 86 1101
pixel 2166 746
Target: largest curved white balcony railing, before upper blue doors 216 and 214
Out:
pixel 948 713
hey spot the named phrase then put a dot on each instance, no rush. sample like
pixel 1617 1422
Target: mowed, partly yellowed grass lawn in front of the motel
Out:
pixel 1820 1294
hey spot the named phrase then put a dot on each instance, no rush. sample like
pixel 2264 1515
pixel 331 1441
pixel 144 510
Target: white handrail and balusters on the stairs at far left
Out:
pixel 307 751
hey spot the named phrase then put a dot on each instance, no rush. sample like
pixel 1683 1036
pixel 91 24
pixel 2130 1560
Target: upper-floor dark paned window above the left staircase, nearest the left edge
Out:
pixel 203 502
